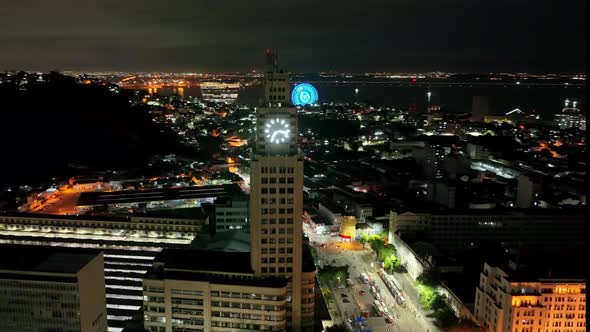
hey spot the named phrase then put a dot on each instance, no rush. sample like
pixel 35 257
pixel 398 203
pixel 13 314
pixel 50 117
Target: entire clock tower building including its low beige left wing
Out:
pixel 272 287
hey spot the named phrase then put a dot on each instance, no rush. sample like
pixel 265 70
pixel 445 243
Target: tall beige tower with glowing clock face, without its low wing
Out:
pixel 276 198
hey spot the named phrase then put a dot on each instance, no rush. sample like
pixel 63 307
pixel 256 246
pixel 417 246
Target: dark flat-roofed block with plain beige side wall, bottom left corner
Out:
pixel 52 289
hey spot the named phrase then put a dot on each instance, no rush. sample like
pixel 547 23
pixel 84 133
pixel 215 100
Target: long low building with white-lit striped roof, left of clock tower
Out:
pixel 129 245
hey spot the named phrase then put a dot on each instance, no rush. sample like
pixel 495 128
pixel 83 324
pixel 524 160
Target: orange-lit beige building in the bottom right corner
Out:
pixel 519 303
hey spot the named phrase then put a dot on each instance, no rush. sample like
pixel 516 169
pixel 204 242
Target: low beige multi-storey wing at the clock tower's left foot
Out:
pixel 196 290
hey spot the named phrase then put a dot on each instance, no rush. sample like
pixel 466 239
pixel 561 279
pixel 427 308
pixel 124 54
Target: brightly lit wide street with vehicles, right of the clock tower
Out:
pixel 352 301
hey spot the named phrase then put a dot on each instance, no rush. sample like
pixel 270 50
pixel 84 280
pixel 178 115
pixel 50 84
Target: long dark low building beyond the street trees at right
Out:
pixel 544 229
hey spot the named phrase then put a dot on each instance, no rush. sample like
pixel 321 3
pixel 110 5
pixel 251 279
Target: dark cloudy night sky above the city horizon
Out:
pixel 319 35
